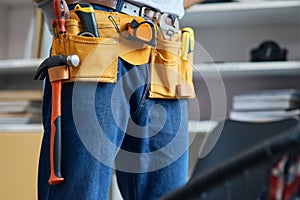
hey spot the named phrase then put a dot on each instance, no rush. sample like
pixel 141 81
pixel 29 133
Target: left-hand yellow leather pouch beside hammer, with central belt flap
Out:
pixel 99 56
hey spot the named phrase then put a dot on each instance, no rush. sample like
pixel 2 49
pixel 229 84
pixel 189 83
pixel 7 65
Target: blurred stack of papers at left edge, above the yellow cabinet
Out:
pixel 20 106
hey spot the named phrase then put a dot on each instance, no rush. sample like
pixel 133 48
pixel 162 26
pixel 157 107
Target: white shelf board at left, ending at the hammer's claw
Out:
pixel 14 66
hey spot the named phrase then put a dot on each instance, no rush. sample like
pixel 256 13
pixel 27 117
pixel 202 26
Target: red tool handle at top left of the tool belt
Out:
pixel 60 11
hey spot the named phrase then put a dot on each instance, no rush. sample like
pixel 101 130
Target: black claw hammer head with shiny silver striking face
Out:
pixel 54 61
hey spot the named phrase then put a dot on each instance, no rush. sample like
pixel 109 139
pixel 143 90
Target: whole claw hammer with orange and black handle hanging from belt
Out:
pixel 56 67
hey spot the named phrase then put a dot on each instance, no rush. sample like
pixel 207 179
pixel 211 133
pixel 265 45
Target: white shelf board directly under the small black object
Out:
pixel 248 68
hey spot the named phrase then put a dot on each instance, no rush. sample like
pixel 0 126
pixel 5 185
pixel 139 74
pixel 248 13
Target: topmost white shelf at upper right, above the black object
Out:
pixel 243 14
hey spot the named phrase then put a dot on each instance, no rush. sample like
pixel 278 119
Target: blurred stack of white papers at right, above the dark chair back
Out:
pixel 266 105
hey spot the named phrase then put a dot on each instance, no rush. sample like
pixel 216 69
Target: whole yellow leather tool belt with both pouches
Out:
pixel 171 76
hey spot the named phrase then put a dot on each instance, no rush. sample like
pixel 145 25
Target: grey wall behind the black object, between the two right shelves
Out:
pixel 235 43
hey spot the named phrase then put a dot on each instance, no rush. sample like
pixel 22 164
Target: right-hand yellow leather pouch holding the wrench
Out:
pixel 171 76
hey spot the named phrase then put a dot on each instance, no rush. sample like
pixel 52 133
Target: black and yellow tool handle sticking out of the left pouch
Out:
pixel 86 14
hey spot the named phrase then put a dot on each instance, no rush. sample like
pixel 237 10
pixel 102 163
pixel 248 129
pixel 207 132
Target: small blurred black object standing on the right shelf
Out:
pixel 268 51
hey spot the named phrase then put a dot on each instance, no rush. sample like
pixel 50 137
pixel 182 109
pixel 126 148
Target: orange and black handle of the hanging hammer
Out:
pixel 56 135
